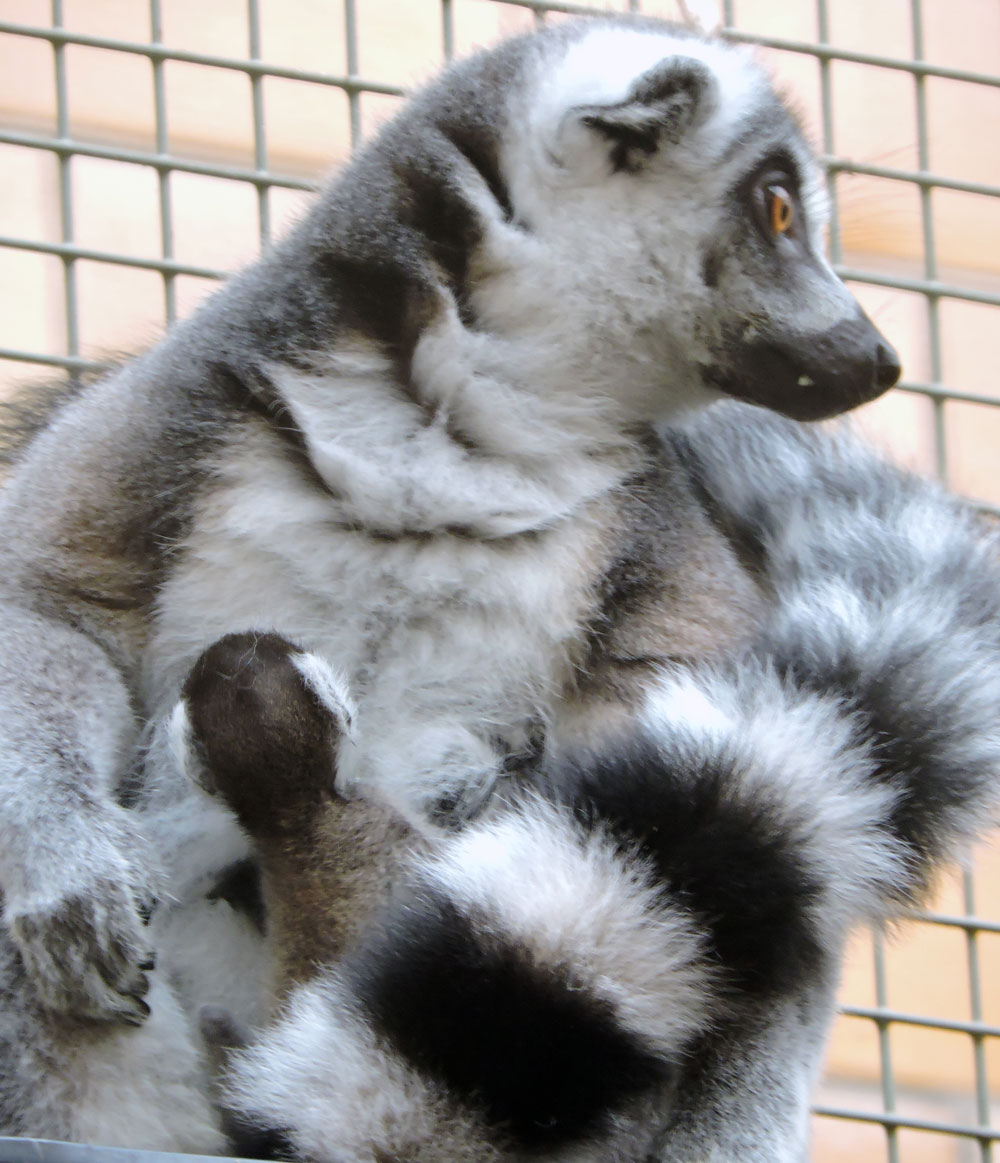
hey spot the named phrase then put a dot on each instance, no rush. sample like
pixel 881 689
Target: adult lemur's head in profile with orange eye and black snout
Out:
pixel 705 215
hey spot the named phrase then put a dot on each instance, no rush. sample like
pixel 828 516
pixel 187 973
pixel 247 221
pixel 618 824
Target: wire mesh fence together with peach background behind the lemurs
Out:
pixel 148 147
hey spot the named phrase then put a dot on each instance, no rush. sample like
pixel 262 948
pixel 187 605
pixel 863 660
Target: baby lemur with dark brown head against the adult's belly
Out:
pixel 261 725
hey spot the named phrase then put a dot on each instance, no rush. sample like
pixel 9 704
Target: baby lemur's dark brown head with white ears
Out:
pixel 260 724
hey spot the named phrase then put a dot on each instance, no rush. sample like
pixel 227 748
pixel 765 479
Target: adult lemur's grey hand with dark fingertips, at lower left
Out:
pixel 84 943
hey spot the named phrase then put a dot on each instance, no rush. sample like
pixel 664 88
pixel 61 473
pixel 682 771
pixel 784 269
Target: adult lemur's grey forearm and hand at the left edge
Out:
pixel 74 871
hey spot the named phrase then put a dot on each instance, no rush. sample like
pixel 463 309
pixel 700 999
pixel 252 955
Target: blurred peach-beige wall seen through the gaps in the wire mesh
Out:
pixel 210 117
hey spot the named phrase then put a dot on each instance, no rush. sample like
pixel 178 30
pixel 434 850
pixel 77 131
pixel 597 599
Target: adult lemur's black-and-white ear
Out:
pixel 663 105
